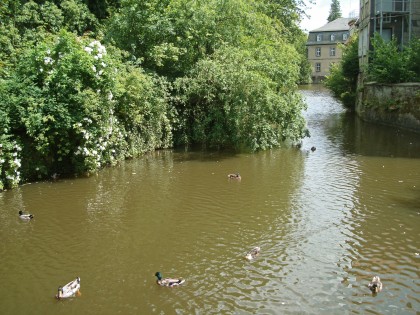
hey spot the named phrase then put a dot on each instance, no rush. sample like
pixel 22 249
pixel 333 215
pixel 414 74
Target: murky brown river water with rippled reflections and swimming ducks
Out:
pixel 326 221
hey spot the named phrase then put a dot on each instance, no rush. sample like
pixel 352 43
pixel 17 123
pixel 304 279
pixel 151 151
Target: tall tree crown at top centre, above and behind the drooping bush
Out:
pixel 169 37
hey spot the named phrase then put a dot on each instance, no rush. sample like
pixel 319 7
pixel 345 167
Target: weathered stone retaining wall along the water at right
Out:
pixel 395 105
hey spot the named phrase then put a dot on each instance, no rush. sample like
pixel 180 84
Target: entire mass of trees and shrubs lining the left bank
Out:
pixel 221 73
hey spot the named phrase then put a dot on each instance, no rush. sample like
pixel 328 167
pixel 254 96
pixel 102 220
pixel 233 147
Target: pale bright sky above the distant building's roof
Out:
pixel 319 11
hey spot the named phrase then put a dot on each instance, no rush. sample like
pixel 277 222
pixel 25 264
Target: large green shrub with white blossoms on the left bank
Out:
pixel 66 104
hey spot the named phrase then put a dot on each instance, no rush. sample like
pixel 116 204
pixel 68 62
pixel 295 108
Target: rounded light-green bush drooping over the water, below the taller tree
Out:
pixel 231 99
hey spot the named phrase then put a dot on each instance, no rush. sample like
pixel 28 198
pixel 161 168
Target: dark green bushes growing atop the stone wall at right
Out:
pixel 387 64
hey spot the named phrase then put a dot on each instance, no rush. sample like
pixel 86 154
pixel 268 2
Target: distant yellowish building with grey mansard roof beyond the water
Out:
pixel 323 46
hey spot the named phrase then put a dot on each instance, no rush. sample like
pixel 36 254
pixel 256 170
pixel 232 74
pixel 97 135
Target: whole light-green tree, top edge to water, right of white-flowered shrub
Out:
pixel 233 64
